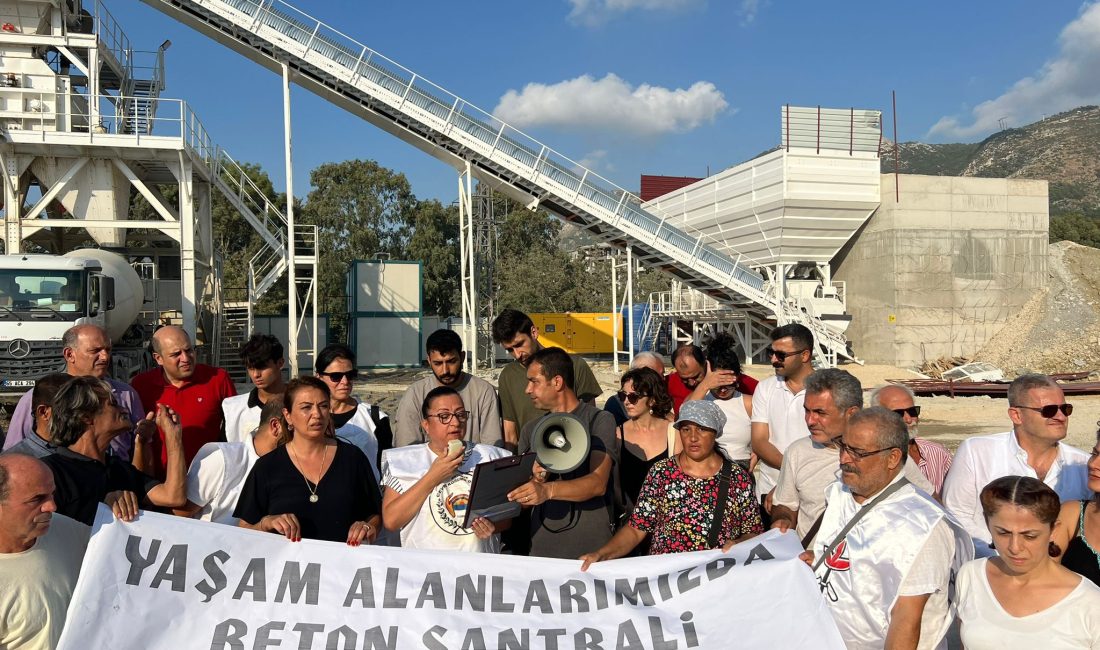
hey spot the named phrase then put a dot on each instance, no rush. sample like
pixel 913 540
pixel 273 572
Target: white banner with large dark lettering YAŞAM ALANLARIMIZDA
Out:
pixel 173 583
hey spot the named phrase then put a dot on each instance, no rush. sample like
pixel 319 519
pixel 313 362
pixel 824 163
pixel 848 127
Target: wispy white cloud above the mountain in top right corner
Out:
pixel 1069 81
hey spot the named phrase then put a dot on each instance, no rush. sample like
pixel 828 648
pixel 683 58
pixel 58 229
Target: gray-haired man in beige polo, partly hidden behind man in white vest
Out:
pixel 810 465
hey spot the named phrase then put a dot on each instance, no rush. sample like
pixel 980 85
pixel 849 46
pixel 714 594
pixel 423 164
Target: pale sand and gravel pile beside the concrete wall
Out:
pixel 1059 330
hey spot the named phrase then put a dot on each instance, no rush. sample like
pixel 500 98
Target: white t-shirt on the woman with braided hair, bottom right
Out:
pixel 1072 623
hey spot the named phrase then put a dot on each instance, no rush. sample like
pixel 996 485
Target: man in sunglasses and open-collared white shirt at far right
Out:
pixel 1035 448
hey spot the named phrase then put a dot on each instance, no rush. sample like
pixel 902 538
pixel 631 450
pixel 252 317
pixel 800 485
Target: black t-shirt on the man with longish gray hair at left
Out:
pixel 82 483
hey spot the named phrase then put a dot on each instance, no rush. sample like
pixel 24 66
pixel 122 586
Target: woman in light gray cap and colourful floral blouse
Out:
pixel 696 501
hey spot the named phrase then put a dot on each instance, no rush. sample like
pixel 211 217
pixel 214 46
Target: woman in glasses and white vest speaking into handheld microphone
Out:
pixel 427 487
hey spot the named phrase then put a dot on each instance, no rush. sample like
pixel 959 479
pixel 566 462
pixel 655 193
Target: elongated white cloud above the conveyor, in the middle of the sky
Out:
pixel 612 105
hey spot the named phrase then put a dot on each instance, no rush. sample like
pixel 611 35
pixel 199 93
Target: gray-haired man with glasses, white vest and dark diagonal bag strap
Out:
pixel 887 553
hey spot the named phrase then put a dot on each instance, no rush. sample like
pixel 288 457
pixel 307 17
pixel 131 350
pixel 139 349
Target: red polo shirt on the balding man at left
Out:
pixel 199 403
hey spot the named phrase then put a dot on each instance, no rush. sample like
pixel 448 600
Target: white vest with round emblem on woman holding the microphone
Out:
pixel 438 525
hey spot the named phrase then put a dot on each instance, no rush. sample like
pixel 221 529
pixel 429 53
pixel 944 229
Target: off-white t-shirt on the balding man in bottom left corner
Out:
pixel 37 586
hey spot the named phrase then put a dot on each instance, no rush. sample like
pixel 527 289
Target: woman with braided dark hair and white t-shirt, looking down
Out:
pixel 1022 599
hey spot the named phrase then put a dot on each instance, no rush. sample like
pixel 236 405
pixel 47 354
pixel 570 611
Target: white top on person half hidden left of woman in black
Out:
pixel 216 478
